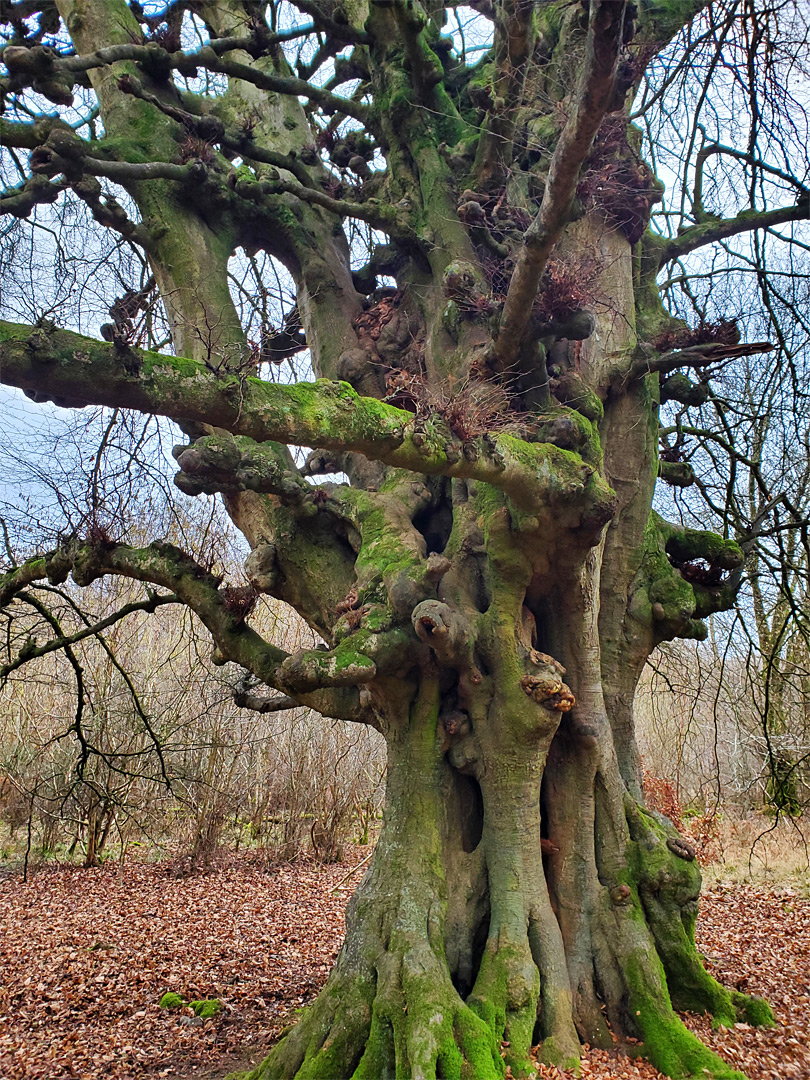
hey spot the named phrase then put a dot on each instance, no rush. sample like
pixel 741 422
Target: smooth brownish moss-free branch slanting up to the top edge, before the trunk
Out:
pixel 595 99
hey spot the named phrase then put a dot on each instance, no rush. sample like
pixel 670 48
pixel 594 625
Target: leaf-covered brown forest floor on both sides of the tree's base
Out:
pixel 86 957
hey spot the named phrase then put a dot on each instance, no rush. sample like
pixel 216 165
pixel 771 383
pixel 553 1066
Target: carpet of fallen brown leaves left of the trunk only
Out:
pixel 86 957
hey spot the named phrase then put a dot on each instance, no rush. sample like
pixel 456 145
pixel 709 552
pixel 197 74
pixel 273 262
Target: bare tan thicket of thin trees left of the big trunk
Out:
pixel 166 759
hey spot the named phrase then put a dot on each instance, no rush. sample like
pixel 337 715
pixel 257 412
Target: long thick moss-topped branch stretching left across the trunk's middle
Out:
pixel 74 371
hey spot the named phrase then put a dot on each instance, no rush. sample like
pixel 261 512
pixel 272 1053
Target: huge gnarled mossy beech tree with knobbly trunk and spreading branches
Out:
pixel 483 562
